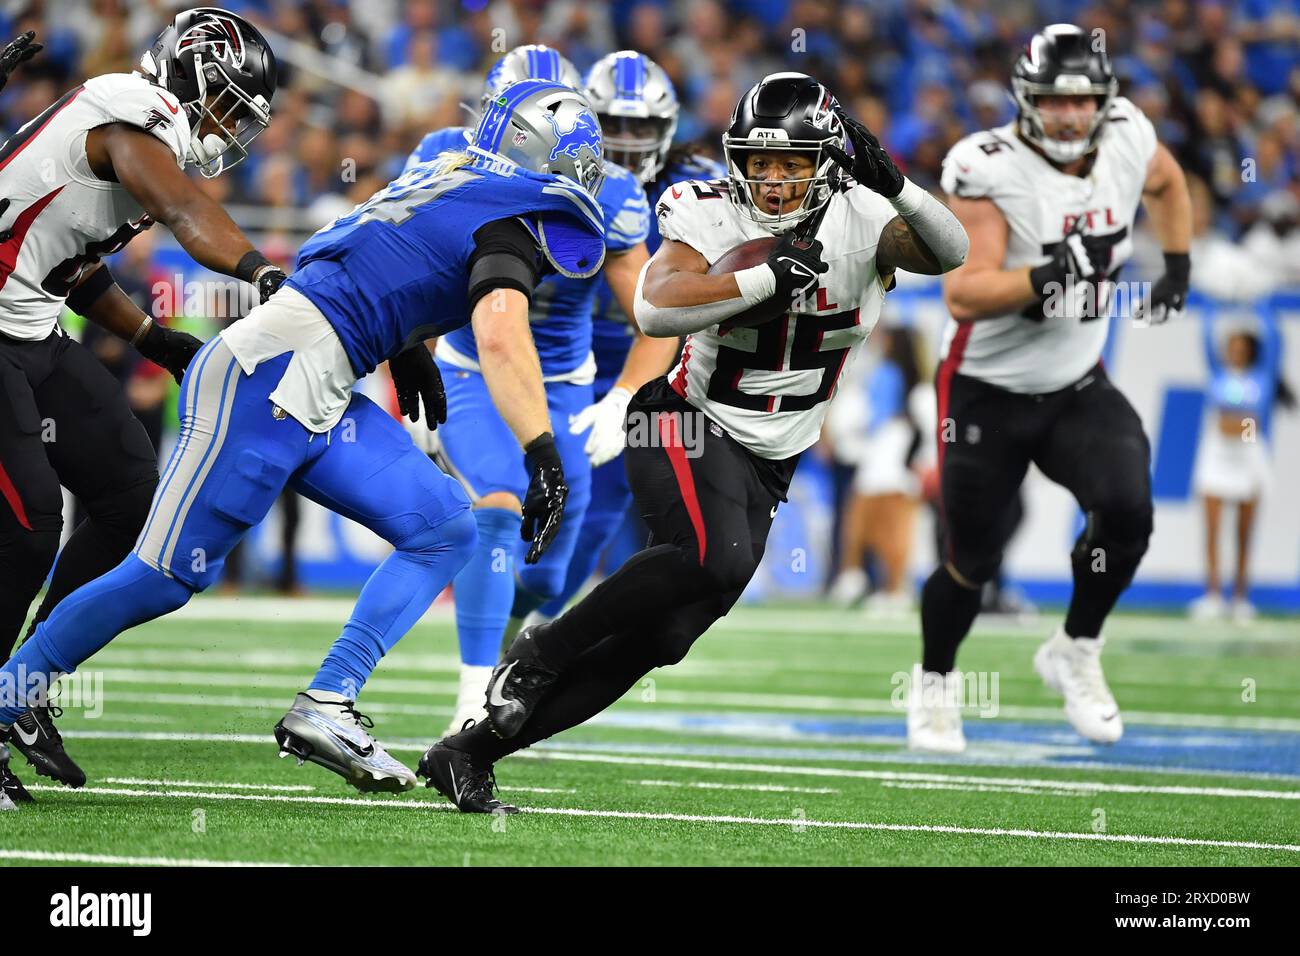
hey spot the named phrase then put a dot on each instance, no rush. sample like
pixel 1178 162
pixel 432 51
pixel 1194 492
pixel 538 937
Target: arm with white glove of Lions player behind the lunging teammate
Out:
pixel 647 360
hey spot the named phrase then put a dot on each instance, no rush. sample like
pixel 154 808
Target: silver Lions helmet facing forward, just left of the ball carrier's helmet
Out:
pixel 639 111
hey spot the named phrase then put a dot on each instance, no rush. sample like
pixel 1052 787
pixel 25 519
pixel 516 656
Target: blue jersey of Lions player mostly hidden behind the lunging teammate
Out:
pixel 561 313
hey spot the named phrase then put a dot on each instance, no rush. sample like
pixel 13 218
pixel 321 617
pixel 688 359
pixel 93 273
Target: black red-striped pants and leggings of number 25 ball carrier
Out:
pixel 709 504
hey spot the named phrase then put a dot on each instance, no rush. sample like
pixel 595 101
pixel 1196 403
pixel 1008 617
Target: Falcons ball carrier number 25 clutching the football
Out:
pixel 760 392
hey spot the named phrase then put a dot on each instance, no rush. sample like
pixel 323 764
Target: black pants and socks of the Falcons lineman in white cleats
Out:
pixel 1086 438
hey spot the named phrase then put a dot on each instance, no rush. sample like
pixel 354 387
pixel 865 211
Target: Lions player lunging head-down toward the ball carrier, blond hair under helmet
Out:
pixel 270 403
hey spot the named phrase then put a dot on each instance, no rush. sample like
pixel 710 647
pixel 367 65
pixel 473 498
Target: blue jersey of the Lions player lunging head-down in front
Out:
pixel 395 271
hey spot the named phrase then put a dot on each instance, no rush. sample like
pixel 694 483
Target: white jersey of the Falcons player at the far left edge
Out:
pixel 62 218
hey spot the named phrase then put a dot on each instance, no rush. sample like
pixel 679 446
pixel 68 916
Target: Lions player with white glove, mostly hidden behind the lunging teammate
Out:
pixel 476 445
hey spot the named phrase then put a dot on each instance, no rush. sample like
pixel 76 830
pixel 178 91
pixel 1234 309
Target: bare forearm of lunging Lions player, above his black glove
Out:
pixel 510 366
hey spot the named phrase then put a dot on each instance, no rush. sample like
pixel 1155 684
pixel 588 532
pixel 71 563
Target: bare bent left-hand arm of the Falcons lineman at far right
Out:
pixel 981 288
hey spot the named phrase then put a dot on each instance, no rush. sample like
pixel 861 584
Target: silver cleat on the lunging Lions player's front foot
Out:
pixel 326 729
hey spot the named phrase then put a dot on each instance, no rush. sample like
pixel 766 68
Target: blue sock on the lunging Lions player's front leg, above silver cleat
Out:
pixel 395 598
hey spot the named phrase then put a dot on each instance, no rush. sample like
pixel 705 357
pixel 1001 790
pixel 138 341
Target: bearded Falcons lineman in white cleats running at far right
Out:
pixel 1050 204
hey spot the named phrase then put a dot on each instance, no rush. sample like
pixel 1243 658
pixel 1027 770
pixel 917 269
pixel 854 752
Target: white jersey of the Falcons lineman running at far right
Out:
pixel 1028 352
